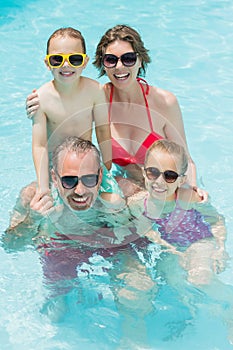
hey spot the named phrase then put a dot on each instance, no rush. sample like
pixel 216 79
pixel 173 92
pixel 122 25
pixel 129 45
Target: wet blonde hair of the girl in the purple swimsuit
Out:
pixel 175 150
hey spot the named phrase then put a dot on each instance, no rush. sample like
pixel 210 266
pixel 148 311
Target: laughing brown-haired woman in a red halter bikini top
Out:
pixel 139 114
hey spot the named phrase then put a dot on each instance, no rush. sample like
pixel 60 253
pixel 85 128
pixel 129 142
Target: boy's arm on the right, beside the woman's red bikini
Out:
pixel 102 128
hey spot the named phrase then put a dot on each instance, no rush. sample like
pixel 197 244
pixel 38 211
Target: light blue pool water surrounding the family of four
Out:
pixel 190 44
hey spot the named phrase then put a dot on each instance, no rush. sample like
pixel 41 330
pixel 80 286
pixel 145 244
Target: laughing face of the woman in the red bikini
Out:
pixel 122 76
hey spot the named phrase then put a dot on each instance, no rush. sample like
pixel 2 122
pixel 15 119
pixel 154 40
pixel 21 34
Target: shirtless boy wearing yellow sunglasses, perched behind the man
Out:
pixel 68 105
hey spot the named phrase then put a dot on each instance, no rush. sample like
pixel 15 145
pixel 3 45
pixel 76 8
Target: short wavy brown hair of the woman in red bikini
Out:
pixel 125 33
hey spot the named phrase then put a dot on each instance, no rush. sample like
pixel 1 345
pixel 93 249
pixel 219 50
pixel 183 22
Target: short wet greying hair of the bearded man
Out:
pixel 74 144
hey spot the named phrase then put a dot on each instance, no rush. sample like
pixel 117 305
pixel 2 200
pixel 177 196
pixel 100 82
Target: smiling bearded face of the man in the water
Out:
pixel 74 164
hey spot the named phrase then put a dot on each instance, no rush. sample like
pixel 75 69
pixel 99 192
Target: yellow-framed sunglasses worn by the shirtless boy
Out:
pixel 57 60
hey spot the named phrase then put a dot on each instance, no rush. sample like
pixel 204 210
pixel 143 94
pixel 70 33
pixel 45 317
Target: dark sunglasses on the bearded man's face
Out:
pixel 69 182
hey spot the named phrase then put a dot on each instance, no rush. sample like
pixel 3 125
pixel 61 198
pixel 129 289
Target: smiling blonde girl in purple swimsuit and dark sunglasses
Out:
pixel 180 222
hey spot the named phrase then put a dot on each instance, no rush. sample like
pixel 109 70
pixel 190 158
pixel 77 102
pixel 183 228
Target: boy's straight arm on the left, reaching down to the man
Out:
pixel 40 151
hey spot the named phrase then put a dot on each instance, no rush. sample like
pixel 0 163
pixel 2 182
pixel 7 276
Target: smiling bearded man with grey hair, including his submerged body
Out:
pixel 79 233
